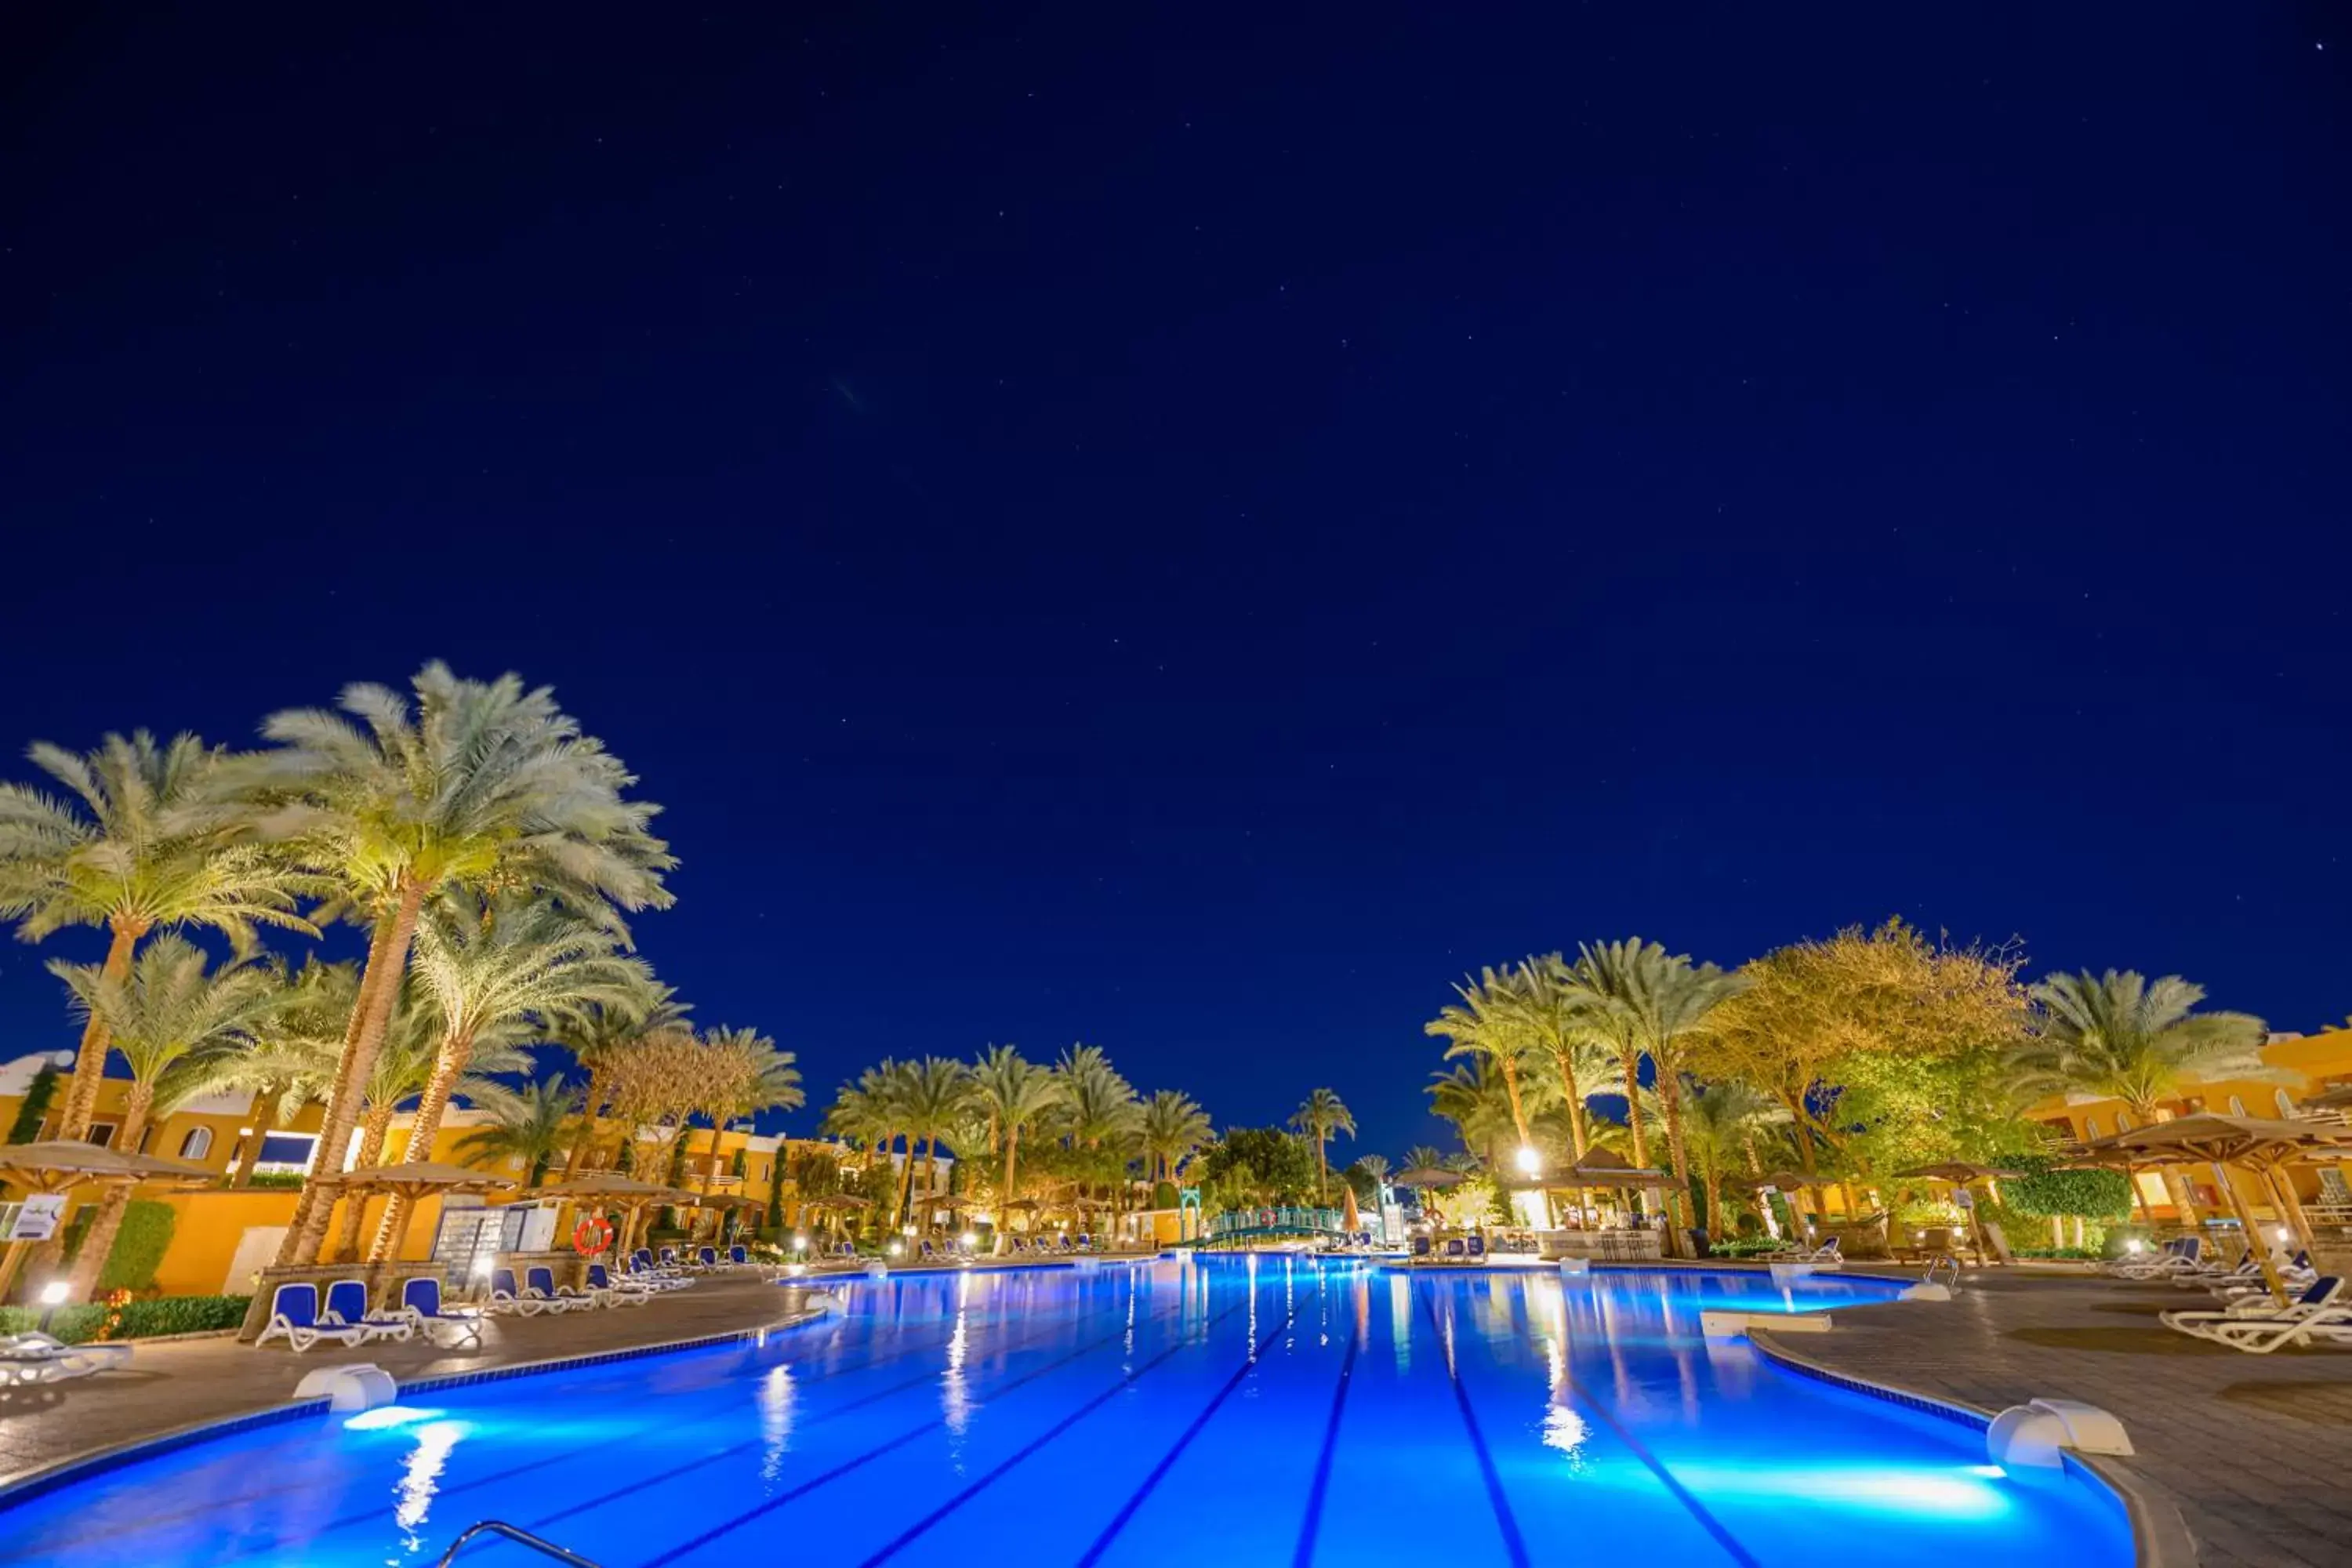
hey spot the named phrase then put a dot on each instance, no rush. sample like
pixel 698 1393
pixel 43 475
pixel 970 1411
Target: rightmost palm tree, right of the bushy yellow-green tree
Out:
pixel 2134 1040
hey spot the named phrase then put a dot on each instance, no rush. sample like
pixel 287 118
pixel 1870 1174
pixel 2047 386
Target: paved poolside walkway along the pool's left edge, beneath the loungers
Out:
pixel 199 1381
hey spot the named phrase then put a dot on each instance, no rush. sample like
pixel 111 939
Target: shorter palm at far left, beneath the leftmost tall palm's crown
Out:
pixel 171 1021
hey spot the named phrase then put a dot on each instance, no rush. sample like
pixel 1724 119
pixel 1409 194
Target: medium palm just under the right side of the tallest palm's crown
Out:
pixel 509 965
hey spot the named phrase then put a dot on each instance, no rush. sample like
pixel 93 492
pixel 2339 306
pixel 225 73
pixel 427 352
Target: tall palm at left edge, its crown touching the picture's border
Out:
pixel 138 845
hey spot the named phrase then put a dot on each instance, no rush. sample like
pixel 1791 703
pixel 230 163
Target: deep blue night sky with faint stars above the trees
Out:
pixel 1182 530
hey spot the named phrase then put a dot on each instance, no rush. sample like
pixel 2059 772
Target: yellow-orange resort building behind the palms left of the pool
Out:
pixel 225 1233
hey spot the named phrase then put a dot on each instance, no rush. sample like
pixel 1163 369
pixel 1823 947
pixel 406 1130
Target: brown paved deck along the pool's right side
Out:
pixel 2254 1452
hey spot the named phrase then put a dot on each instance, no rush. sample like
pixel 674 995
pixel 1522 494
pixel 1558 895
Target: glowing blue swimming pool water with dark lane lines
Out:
pixel 1224 1412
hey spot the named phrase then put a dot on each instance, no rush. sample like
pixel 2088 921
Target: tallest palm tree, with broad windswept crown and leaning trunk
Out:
pixel 479 786
